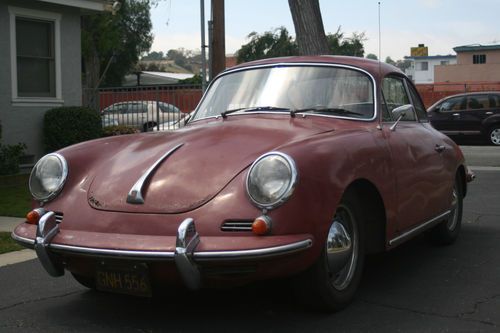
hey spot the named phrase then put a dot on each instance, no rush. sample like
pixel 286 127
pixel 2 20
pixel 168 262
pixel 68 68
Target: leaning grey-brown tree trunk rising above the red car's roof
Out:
pixel 309 29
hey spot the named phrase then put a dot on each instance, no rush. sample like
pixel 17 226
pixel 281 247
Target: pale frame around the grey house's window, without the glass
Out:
pixel 55 18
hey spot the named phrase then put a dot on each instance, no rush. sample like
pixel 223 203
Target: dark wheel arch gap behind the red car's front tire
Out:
pixel 374 214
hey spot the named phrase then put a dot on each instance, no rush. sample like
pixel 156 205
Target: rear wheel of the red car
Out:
pixel 446 232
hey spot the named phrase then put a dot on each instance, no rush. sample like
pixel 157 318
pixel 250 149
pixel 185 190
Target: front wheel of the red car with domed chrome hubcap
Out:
pixel 331 282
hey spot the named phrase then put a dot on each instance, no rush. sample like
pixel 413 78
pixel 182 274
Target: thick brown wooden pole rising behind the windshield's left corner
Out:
pixel 218 41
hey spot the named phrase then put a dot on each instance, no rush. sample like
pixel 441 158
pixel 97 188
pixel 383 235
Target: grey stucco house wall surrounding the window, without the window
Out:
pixel 24 123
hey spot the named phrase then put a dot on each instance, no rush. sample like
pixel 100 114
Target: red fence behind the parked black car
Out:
pixel 431 93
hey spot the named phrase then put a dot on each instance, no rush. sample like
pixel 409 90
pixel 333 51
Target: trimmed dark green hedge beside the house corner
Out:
pixel 66 126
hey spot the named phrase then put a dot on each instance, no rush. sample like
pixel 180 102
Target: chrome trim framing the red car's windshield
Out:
pixel 295 64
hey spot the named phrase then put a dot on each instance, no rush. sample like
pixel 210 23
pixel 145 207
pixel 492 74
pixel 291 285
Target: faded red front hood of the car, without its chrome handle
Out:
pixel 208 157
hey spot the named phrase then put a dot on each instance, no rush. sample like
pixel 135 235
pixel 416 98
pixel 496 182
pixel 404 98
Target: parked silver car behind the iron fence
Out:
pixel 144 115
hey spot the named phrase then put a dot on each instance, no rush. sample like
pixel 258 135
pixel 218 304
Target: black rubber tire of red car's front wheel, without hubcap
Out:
pixel 323 290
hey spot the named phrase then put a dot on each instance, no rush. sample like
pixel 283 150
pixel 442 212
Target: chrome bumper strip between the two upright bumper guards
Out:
pixel 110 252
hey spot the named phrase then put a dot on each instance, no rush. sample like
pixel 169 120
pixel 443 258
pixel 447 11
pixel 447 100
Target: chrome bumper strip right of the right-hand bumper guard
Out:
pixel 255 253
